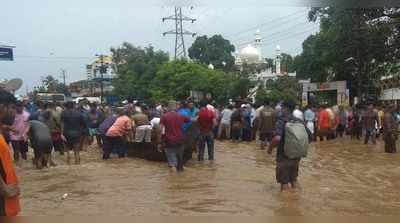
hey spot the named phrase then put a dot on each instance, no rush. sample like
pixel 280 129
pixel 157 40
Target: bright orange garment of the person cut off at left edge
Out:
pixel 12 207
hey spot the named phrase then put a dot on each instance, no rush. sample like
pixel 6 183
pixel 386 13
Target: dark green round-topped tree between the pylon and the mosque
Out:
pixel 214 50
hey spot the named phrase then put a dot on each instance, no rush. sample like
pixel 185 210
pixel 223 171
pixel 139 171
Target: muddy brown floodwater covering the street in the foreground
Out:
pixel 340 177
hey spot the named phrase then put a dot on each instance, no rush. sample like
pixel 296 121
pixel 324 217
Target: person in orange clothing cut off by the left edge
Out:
pixel 9 189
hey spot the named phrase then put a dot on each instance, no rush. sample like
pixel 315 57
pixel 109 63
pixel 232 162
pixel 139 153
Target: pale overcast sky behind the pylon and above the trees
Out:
pixel 52 35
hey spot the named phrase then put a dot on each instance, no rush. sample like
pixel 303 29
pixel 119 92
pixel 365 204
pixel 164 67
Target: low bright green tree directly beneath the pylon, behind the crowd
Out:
pixel 176 79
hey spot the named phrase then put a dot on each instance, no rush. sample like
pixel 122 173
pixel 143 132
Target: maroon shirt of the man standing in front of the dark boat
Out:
pixel 173 122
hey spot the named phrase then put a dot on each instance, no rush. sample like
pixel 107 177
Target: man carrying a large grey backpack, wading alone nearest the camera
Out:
pixel 292 139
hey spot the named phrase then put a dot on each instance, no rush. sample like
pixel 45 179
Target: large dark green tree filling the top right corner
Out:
pixel 352 45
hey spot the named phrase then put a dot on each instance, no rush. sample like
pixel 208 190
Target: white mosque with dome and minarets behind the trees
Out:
pixel 252 54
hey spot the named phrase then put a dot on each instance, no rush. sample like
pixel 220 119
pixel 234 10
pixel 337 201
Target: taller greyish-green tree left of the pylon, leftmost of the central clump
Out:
pixel 136 68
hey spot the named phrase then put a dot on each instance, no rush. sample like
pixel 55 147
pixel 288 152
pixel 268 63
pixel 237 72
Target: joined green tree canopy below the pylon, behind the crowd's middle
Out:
pixel 146 74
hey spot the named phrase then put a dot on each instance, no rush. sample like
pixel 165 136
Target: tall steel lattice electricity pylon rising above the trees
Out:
pixel 179 31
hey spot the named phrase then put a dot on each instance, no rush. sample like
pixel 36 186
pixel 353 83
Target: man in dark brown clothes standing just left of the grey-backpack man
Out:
pixel 267 124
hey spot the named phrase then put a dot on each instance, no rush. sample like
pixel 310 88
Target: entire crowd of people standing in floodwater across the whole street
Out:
pixel 69 128
